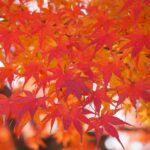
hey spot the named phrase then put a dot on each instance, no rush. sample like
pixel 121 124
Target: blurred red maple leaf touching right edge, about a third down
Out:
pixel 137 42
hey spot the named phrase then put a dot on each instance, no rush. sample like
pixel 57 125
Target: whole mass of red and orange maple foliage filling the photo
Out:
pixel 75 62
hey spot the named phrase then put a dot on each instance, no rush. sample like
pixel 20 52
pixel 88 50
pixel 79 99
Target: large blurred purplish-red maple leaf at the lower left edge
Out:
pixel 17 105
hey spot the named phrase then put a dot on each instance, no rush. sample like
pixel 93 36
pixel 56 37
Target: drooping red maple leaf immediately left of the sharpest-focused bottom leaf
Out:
pixel 69 115
